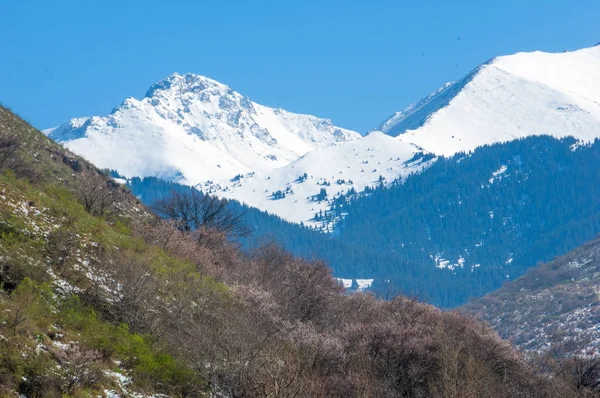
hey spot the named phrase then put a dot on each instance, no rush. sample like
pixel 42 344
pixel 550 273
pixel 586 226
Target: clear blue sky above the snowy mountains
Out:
pixel 355 62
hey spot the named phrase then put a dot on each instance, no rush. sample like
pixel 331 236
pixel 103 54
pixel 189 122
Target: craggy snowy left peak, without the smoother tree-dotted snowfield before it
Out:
pixel 196 129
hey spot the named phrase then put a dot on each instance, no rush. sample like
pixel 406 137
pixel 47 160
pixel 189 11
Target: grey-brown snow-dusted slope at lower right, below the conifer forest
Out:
pixel 554 304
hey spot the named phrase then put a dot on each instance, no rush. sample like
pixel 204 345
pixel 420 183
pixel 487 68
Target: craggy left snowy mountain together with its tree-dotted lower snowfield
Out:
pixel 196 131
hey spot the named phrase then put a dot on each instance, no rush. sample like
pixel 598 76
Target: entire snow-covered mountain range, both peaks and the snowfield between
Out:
pixel 196 131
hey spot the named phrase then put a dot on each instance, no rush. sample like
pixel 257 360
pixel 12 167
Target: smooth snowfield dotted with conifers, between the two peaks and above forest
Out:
pixel 370 161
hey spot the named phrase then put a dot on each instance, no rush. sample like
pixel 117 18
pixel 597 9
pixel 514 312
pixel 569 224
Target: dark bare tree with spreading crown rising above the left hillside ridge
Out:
pixel 193 210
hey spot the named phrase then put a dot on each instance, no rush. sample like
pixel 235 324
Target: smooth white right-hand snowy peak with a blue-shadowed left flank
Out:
pixel 507 98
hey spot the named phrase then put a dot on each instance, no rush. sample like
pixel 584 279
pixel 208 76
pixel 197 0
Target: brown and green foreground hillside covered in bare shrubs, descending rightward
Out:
pixel 102 298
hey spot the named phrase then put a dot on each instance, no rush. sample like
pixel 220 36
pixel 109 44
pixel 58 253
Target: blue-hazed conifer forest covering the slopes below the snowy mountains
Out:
pixel 489 215
